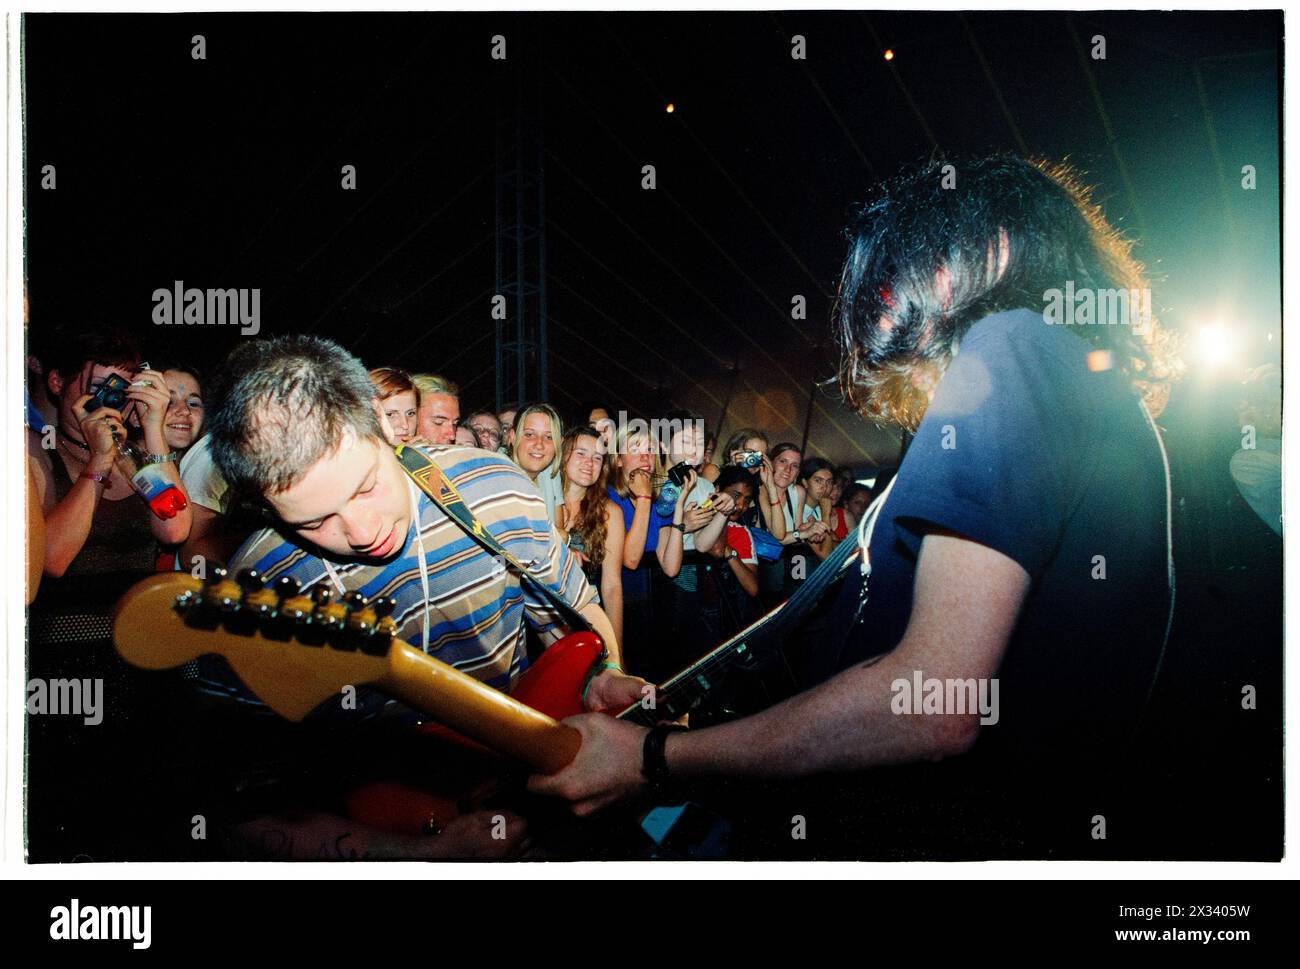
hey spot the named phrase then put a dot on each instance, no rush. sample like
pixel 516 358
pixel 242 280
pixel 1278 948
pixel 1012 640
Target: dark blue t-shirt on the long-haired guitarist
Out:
pixel 1032 452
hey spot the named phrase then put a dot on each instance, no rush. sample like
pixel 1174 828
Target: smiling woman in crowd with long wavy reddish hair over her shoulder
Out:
pixel 592 524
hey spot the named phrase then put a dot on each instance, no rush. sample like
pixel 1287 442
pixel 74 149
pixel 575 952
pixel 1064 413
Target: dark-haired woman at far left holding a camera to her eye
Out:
pixel 99 539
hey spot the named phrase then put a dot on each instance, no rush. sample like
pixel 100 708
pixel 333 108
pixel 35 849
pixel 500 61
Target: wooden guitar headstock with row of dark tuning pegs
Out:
pixel 292 647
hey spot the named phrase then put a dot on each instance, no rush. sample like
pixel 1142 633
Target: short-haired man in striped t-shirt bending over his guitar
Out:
pixel 297 423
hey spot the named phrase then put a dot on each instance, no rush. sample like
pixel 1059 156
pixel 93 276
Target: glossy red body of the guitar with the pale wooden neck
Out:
pixel 553 685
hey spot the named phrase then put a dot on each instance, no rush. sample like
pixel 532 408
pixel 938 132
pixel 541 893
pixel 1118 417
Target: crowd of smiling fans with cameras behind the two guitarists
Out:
pixel 684 544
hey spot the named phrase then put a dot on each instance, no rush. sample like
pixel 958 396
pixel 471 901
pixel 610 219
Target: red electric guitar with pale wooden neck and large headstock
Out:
pixel 298 648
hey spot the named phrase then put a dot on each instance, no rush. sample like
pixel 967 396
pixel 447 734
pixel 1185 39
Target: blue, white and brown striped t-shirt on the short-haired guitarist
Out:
pixel 478 605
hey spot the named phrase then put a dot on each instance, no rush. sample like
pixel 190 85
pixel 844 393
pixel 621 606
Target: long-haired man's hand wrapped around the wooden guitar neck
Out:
pixel 608 768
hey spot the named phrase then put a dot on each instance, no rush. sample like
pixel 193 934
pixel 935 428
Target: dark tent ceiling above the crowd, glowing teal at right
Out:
pixel 227 174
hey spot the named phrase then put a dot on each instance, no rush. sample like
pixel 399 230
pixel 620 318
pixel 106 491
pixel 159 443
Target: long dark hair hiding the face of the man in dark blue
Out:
pixel 929 222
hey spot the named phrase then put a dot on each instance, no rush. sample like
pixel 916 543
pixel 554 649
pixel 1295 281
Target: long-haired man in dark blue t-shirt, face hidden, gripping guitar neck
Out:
pixel 1024 550
